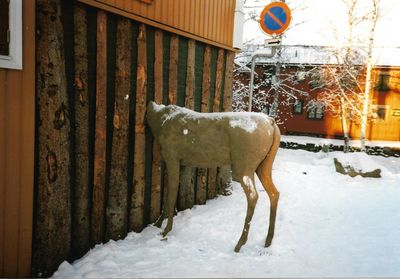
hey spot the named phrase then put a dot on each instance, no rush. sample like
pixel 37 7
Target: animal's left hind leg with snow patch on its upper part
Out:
pixel 249 188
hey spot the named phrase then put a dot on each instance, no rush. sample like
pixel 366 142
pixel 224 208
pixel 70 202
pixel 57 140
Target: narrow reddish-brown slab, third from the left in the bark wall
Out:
pixel 99 176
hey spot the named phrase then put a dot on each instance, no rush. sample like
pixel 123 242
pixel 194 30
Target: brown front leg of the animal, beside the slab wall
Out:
pixel 173 185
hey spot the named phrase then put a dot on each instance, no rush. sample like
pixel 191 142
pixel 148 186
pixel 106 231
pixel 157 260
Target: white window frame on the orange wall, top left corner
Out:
pixel 14 58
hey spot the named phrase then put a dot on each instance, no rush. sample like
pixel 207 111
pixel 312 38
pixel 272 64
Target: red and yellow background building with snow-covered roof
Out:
pixel 298 117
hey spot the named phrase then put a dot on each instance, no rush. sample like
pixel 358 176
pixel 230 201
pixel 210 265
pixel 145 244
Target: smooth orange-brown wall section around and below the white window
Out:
pixel 17 114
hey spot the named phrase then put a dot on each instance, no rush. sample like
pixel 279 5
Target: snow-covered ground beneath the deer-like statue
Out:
pixel 328 225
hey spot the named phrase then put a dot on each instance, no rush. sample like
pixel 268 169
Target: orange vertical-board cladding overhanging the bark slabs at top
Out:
pixel 209 21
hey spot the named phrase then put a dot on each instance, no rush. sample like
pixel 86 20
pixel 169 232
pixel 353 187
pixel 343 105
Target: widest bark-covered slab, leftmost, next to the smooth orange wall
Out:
pixel 52 239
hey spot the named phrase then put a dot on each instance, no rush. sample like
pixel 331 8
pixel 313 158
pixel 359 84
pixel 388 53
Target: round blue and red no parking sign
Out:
pixel 275 18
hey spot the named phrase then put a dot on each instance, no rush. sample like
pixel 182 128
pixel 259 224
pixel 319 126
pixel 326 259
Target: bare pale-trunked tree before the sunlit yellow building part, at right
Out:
pixel 347 85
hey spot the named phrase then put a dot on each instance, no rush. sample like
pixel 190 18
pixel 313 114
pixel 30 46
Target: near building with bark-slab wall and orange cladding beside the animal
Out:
pixel 78 165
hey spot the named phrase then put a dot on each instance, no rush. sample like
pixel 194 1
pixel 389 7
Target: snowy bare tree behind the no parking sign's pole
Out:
pixel 272 83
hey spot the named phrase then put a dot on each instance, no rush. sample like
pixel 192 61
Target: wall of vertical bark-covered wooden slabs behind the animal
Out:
pixel 98 173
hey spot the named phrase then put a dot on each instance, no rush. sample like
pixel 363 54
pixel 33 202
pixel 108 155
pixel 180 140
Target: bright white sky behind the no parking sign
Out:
pixel 319 17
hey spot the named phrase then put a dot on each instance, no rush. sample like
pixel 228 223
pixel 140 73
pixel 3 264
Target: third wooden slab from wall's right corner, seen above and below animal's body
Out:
pixel 202 174
